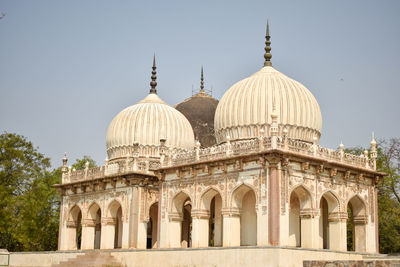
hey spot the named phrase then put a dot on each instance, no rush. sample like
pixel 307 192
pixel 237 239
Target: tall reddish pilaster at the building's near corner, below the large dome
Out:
pixel 273 203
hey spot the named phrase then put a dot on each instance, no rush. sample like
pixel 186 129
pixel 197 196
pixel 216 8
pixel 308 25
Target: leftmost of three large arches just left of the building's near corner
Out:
pixel 181 224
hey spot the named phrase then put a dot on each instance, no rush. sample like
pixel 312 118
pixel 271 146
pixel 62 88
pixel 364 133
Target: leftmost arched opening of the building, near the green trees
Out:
pixel 74 228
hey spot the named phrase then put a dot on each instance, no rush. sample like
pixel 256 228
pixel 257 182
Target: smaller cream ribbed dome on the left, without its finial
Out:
pixel 146 123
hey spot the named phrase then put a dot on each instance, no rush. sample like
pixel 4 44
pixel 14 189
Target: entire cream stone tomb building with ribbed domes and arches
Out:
pixel 260 179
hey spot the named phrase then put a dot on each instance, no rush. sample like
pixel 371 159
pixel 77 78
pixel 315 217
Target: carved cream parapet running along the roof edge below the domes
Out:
pixel 169 158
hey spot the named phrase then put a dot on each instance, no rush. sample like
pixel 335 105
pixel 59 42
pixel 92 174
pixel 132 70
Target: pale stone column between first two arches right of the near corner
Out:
pixel 309 225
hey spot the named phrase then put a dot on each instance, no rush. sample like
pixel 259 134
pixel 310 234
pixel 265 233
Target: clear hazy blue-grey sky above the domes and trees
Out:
pixel 68 67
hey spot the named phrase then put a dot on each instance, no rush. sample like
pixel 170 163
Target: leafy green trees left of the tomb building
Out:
pixel 29 206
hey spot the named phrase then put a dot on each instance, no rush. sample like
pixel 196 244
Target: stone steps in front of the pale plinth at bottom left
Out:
pixel 93 259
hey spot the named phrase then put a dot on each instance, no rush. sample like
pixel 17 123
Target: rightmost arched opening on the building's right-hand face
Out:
pixel 356 225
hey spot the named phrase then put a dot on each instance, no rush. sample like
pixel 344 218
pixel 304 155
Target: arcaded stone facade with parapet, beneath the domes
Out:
pixel 265 191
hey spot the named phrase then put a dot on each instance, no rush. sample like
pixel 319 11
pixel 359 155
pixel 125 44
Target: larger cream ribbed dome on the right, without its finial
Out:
pixel 247 106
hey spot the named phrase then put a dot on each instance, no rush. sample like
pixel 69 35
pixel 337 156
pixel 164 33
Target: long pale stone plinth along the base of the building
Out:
pixel 236 256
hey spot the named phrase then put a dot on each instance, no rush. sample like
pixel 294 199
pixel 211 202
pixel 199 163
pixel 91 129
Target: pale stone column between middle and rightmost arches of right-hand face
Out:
pixel 337 231
